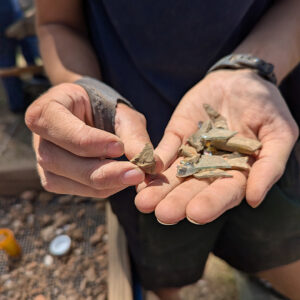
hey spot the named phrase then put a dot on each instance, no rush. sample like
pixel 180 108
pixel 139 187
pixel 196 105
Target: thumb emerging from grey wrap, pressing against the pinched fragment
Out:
pixel 130 127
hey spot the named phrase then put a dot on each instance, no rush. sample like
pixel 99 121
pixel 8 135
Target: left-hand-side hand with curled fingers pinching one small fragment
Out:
pixel 72 155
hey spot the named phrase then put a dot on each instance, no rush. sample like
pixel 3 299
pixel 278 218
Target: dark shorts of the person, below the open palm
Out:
pixel 248 239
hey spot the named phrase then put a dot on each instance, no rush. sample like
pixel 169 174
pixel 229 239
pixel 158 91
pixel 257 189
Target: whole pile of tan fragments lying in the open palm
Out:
pixel 213 149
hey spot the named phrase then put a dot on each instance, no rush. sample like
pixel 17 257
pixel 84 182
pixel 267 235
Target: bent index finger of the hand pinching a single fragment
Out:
pixel 57 124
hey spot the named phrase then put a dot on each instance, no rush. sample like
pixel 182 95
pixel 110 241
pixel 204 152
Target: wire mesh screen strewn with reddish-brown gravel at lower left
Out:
pixel 36 219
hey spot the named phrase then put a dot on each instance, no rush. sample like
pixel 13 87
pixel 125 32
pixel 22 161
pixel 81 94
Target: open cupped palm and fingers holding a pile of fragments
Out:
pixel 254 108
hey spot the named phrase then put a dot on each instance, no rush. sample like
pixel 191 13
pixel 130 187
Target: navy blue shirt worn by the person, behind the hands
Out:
pixel 152 52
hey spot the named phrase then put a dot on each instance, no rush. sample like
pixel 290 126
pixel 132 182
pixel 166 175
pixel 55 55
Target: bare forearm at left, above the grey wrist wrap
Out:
pixel 65 49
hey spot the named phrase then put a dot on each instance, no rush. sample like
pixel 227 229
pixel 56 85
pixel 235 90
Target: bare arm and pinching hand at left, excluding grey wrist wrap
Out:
pixel 73 156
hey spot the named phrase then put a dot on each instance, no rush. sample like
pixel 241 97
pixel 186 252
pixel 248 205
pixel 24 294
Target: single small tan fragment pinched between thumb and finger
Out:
pixel 145 159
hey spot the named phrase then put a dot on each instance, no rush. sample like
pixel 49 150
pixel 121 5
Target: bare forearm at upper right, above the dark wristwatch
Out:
pixel 276 38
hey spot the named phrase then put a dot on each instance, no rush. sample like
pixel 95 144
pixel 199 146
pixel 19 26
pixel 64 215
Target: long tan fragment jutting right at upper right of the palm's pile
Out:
pixel 238 144
